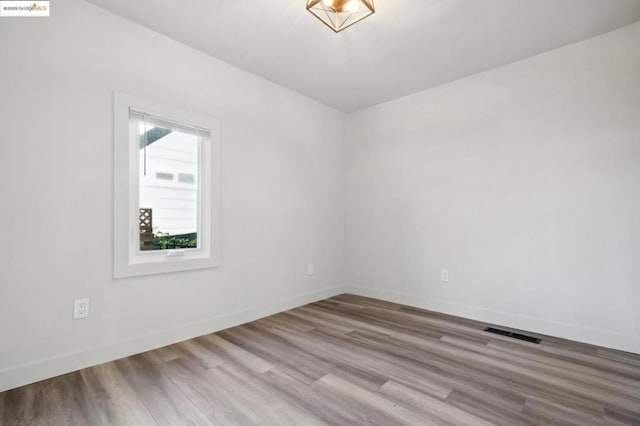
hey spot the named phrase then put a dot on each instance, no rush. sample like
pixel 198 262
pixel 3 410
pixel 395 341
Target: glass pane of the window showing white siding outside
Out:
pixel 168 208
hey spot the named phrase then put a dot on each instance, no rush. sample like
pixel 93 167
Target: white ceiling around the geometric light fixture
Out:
pixel 406 46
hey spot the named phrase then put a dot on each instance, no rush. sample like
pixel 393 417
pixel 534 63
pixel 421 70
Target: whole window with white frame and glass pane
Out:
pixel 164 224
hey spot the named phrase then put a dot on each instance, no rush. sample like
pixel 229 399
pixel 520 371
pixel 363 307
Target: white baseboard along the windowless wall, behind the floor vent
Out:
pixel 574 332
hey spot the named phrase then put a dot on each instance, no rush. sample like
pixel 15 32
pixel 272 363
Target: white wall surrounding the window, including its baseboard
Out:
pixel 282 190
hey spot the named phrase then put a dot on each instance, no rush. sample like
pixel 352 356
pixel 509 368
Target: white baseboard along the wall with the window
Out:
pixel 32 372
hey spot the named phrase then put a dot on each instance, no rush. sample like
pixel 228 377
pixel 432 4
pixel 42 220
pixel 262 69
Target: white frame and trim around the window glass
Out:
pixel 129 260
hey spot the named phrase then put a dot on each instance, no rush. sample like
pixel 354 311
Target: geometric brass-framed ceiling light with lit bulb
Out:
pixel 340 14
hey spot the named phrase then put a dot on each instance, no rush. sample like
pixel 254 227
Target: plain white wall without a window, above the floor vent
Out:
pixel 524 181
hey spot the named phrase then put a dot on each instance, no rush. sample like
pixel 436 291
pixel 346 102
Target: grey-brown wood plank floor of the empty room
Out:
pixel 345 360
